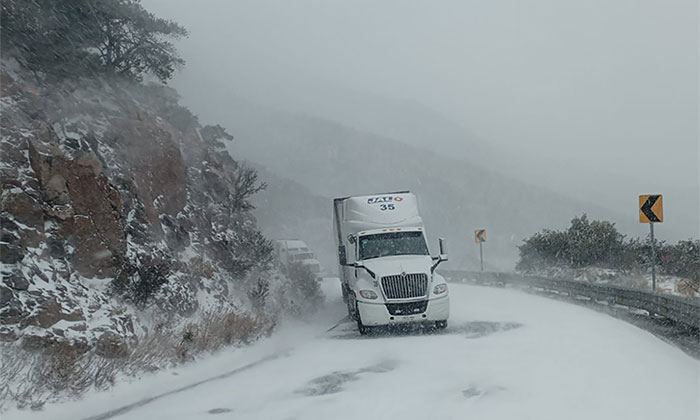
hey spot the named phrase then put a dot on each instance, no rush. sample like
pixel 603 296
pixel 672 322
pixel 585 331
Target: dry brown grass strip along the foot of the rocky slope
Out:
pixel 29 379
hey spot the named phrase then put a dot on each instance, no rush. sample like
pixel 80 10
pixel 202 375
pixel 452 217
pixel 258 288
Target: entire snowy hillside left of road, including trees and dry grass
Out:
pixel 128 241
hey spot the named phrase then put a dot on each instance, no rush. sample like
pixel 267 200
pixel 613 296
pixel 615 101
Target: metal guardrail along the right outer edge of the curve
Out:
pixel 679 309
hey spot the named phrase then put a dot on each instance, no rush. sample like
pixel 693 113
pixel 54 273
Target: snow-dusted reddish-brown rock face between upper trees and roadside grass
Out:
pixel 121 214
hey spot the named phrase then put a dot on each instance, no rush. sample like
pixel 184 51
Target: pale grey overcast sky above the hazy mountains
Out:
pixel 605 92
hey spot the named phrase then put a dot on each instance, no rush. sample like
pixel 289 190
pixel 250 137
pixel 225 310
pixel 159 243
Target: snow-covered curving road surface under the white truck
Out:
pixel 505 355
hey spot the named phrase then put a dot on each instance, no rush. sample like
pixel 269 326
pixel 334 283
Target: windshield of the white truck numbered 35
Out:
pixel 387 244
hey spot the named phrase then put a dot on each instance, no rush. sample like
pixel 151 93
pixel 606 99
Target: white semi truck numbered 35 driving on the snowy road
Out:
pixel 387 275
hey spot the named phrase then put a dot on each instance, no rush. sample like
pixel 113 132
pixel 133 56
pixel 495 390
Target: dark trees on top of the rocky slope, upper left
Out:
pixel 72 39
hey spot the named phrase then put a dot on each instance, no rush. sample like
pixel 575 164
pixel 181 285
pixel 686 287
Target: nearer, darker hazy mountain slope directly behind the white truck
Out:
pixel 330 159
